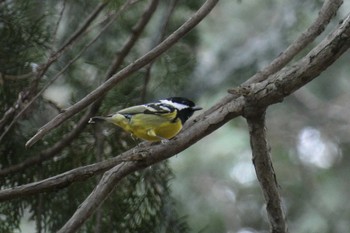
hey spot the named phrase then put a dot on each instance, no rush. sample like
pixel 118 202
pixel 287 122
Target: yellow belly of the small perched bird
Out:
pixel 148 126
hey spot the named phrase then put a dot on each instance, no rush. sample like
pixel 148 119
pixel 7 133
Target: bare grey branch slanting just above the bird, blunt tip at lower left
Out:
pixel 133 67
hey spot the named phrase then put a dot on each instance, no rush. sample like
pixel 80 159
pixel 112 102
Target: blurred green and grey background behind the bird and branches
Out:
pixel 210 187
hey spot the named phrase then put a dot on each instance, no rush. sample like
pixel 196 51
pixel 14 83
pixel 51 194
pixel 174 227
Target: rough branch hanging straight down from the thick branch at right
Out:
pixel 264 170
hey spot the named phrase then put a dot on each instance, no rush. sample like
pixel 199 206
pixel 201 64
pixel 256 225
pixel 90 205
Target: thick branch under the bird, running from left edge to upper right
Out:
pixel 265 93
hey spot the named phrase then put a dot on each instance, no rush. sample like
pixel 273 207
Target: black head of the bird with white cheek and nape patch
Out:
pixel 184 106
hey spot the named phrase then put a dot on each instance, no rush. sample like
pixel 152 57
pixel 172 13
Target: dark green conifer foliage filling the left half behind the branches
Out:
pixel 142 202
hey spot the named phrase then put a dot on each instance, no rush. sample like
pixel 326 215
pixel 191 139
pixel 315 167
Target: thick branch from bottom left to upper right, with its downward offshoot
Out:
pixel 284 84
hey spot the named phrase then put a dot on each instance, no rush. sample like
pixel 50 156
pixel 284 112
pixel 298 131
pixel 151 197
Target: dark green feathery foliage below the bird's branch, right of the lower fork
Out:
pixel 140 203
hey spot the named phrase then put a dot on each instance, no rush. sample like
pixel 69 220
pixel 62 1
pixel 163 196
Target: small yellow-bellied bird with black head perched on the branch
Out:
pixel 157 121
